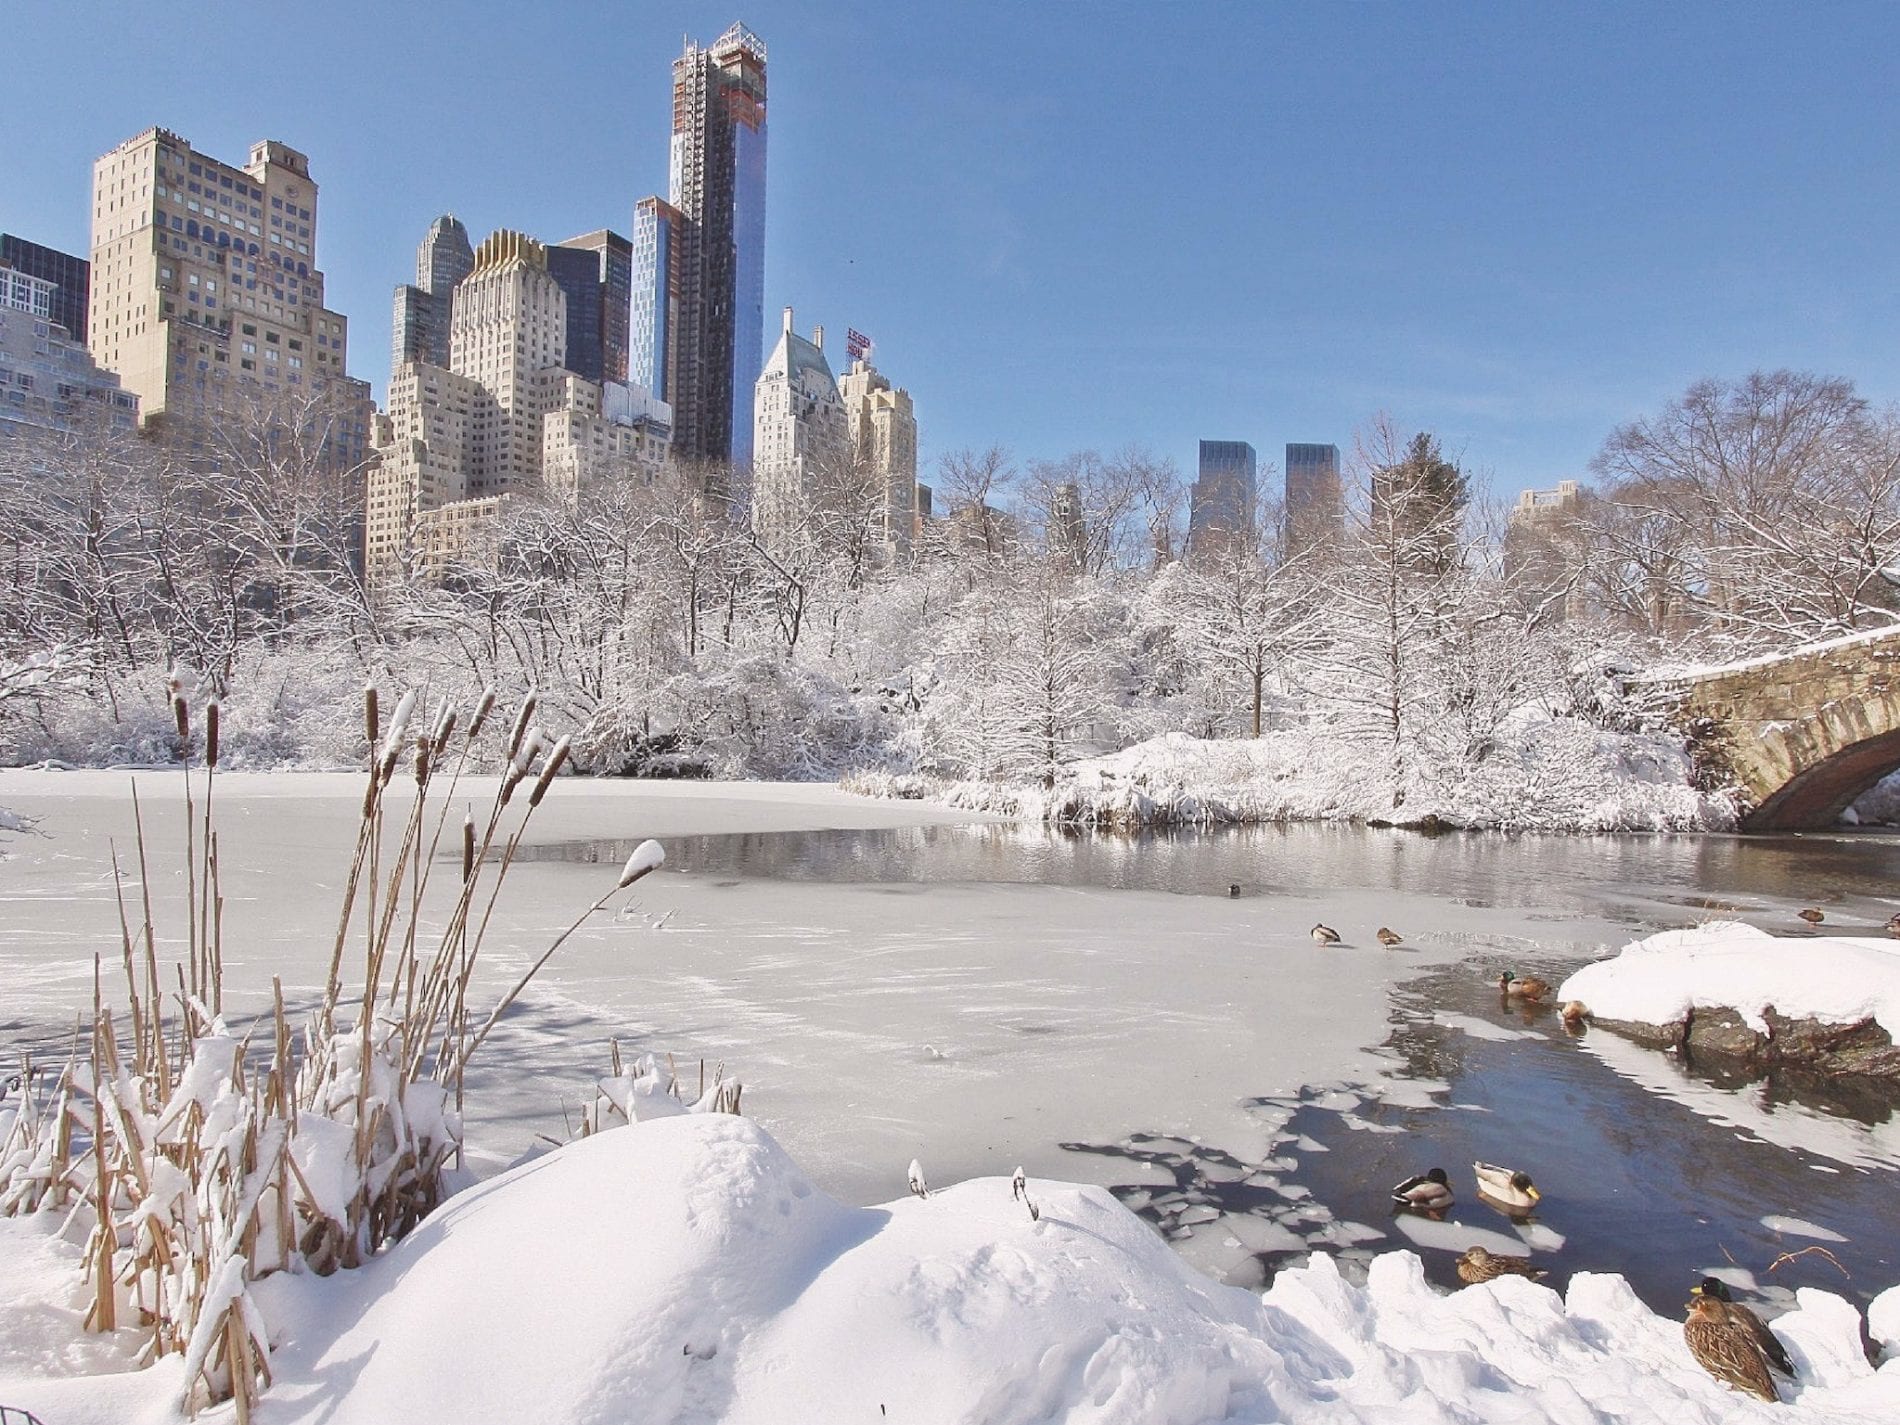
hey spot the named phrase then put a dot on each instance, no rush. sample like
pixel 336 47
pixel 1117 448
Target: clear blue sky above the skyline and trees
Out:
pixel 1090 225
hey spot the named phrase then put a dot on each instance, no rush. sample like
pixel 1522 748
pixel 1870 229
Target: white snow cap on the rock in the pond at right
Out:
pixel 1728 966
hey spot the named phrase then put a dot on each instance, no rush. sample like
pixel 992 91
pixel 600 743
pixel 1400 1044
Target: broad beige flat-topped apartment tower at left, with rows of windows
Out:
pixel 206 297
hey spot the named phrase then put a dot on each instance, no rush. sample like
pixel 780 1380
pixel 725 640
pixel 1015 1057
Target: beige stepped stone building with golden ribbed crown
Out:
pixel 504 417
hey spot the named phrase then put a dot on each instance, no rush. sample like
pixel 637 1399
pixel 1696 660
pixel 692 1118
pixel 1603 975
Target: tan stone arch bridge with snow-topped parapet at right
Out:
pixel 1800 734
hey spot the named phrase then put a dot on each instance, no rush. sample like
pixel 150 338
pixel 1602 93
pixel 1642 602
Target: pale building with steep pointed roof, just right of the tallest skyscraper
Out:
pixel 801 438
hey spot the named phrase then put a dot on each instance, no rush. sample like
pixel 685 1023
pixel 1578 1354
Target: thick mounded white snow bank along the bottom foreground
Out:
pixel 687 1270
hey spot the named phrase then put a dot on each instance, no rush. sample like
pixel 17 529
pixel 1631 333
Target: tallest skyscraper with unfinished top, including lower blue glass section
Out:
pixel 700 259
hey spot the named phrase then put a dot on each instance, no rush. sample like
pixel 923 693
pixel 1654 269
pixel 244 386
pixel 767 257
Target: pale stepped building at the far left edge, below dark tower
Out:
pixel 47 377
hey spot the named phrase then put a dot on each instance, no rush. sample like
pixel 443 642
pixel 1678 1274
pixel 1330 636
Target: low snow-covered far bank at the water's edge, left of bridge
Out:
pixel 1544 774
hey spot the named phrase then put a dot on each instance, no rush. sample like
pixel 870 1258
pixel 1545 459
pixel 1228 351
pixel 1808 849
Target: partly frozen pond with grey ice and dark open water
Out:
pixel 896 983
